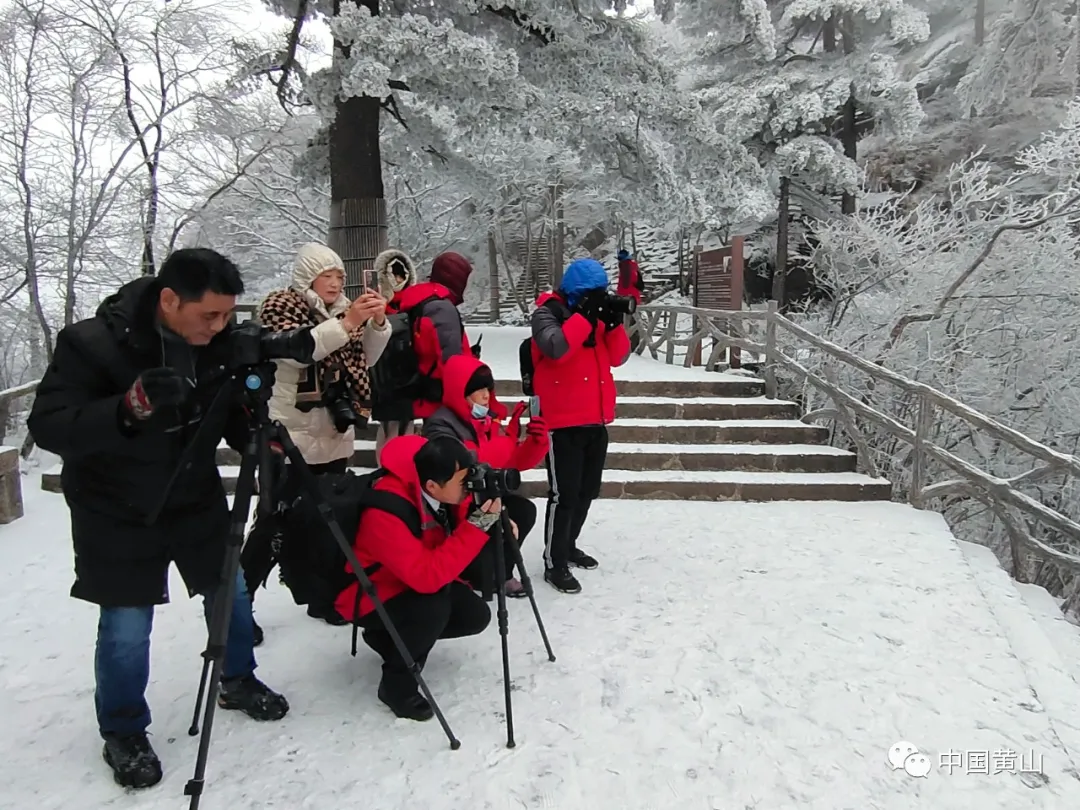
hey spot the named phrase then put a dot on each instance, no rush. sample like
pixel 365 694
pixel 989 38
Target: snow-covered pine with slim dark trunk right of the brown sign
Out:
pixel 791 80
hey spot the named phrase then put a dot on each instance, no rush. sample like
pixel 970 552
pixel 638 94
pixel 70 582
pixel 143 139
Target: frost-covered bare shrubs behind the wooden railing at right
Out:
pixel 970 292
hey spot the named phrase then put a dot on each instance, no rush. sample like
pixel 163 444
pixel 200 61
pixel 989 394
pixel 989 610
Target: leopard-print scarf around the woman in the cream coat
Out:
pixel 287 309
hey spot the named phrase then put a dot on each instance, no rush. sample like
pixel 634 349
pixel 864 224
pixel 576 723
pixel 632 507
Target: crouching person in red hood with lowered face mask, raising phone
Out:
pixel 472 414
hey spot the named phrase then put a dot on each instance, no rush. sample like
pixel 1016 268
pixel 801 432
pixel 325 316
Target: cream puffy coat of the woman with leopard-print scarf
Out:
pixel 314 431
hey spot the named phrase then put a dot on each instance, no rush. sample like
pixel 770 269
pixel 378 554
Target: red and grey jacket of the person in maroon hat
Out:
pixel 439 333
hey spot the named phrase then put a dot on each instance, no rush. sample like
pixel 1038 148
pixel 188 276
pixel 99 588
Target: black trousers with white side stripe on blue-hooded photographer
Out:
pixel 575 476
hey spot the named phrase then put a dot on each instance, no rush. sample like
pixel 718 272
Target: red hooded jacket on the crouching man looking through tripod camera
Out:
pixel 424 565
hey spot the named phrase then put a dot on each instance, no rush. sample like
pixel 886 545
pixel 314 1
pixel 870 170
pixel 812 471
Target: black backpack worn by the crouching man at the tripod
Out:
pixel 313 563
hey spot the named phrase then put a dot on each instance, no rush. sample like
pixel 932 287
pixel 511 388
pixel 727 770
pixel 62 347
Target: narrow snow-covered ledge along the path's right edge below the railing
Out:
pixel 1054 688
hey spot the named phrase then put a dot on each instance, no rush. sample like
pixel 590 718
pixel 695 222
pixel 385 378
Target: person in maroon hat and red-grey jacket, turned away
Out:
pixel 439 333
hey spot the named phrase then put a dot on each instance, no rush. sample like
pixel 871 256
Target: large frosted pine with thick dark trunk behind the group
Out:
pixel 578 74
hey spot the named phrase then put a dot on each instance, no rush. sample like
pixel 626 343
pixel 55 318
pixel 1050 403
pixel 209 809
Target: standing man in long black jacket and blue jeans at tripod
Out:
pixel 133 395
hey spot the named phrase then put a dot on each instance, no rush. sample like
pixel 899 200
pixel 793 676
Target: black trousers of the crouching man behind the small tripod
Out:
pixel 454 612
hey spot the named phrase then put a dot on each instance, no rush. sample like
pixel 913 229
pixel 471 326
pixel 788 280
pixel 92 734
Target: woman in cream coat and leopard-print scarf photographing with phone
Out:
pixel 318 404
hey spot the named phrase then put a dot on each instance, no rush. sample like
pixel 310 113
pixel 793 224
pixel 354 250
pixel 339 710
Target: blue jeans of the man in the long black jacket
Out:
pixel 123 659
